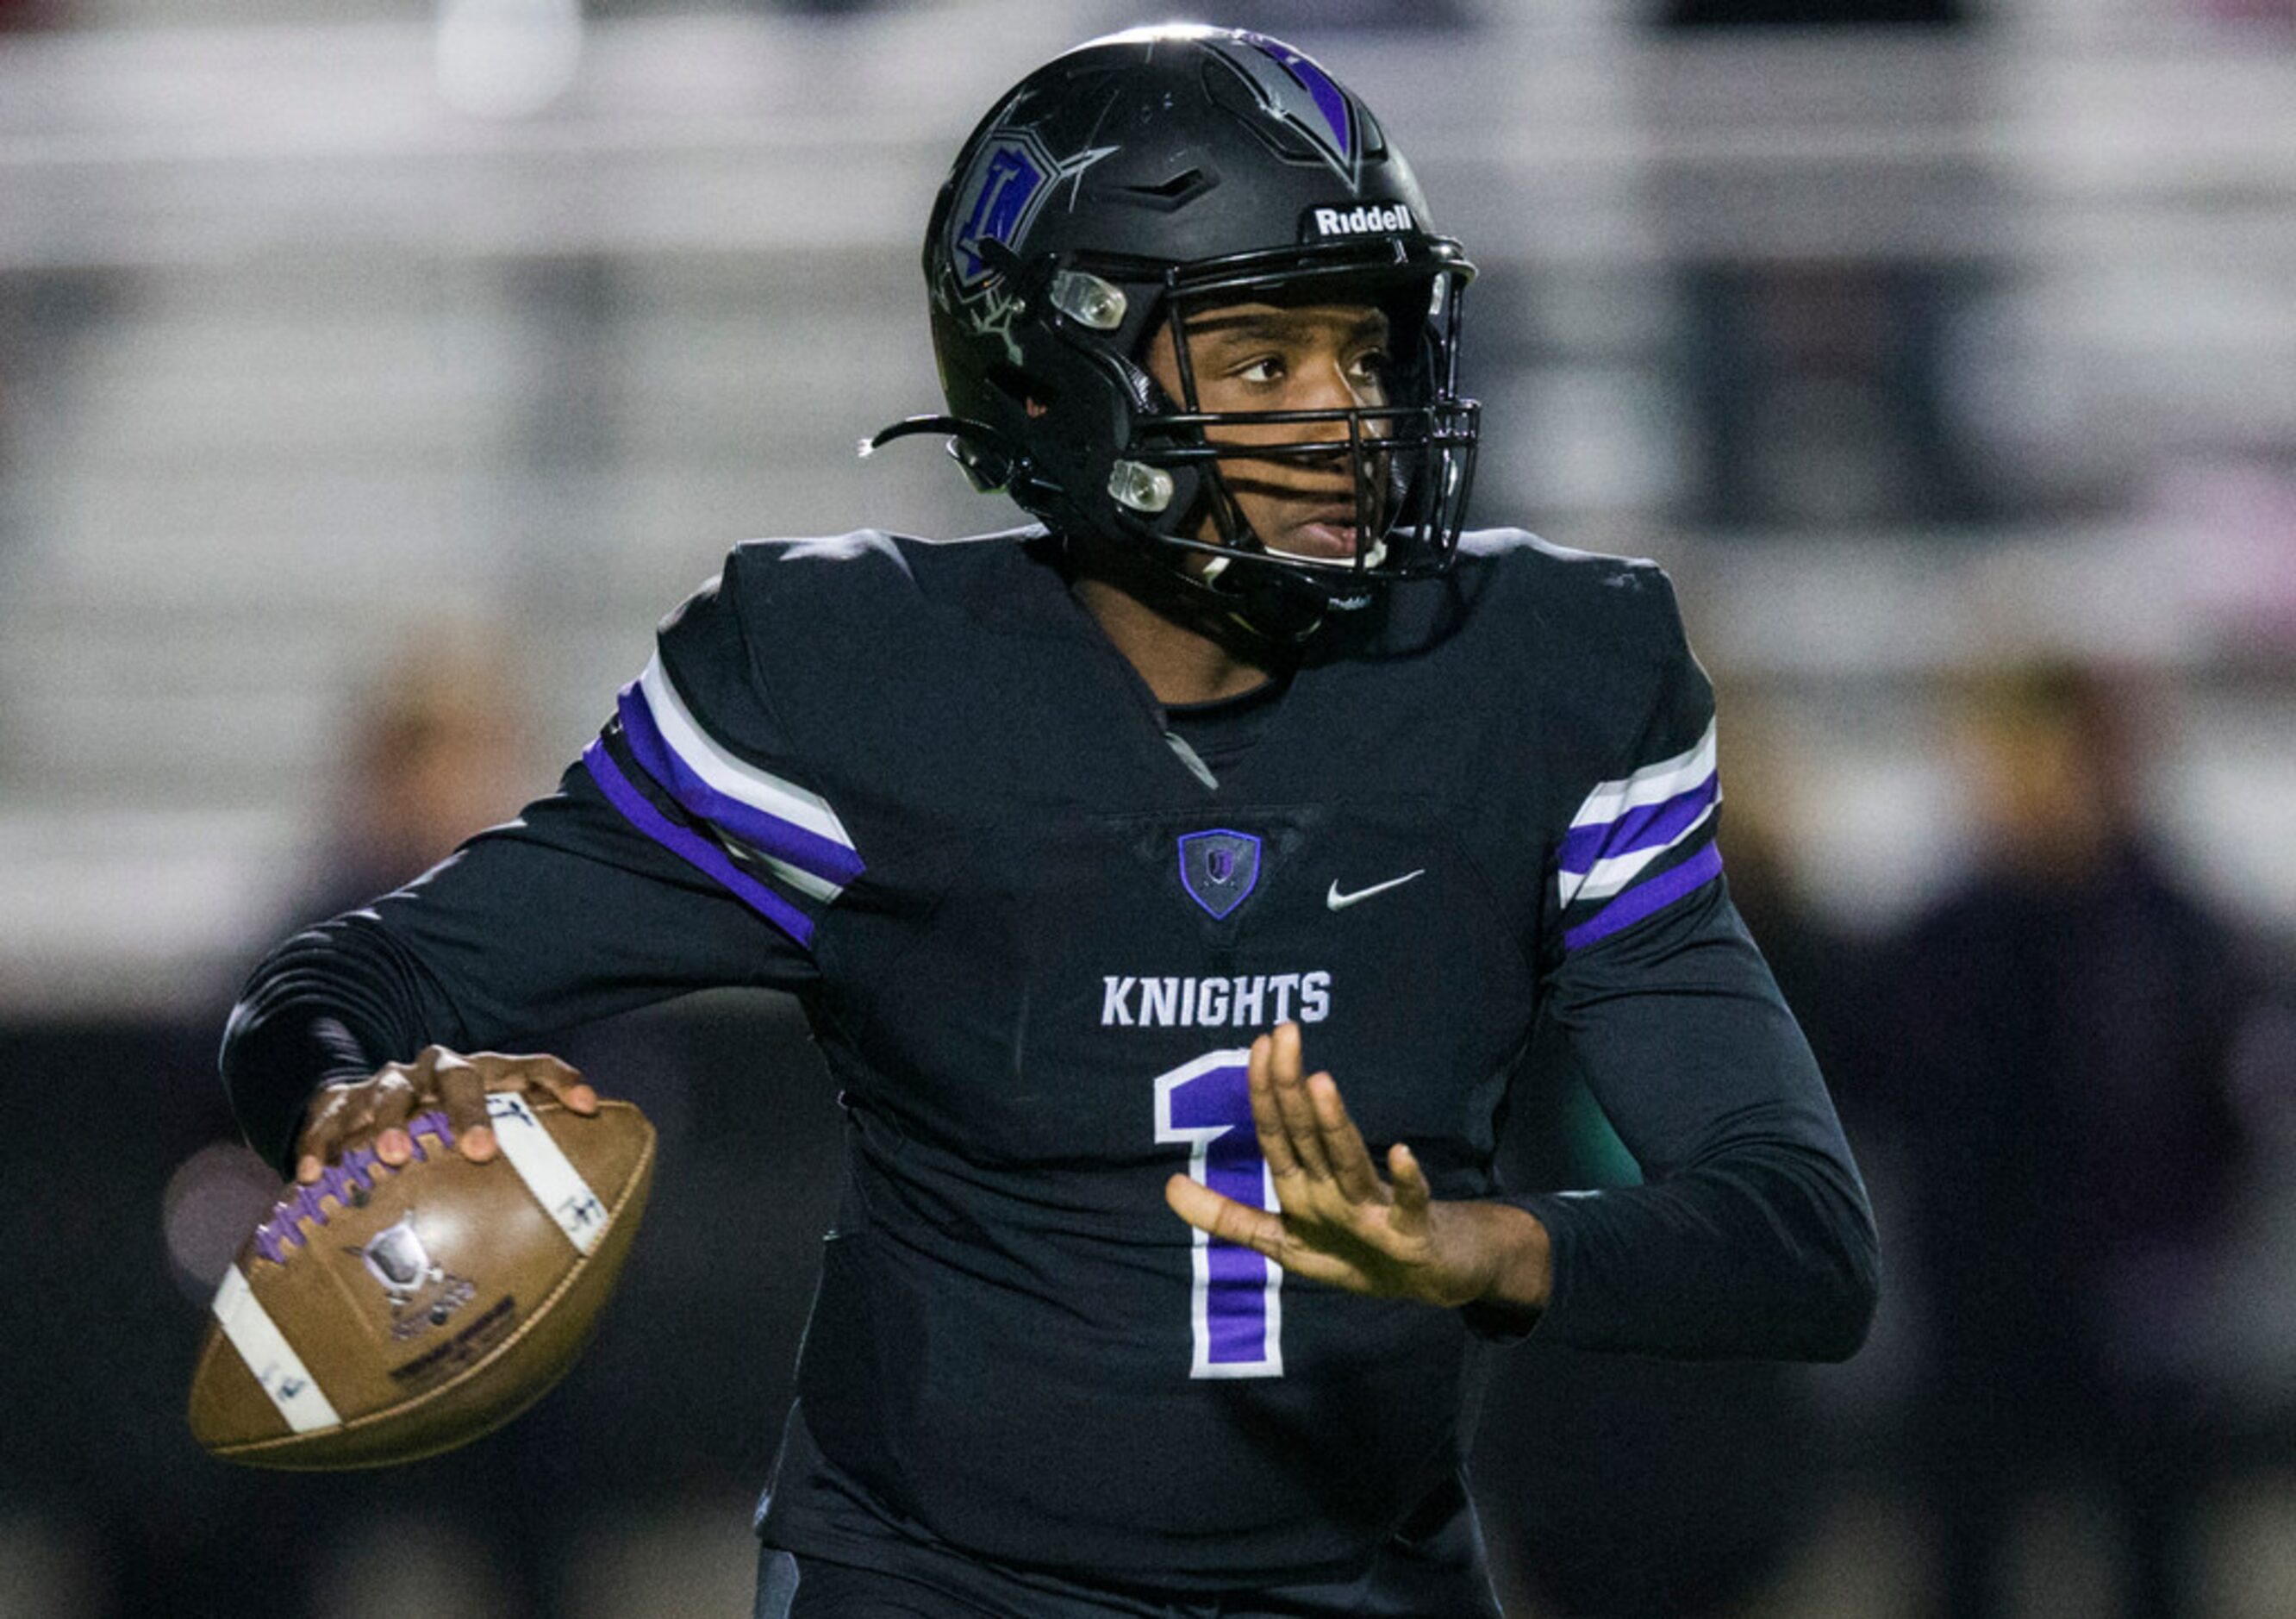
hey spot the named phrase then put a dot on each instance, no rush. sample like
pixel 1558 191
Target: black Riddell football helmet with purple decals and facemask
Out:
pixel 1128 185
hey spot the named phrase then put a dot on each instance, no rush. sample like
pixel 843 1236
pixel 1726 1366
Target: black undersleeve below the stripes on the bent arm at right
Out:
pixel 1751 1234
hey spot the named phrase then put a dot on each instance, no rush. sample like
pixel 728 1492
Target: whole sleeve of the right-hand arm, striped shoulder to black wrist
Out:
pixel 1751 1234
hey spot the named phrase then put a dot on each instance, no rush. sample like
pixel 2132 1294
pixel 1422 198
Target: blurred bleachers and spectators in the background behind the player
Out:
pixel 373 378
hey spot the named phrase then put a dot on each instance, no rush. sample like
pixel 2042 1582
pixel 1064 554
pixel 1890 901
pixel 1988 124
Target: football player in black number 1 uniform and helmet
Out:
pixel 1078 842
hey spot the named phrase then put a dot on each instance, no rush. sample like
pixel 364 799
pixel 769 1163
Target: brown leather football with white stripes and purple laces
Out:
pixel 389 1315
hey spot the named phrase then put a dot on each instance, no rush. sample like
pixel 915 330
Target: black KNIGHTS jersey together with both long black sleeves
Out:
pixel 1037 929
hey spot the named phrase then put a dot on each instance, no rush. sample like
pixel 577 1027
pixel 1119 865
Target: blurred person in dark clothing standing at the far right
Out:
pixel 2054 1044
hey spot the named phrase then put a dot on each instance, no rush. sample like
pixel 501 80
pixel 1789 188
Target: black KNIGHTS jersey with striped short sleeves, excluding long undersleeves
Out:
pixel 1037 938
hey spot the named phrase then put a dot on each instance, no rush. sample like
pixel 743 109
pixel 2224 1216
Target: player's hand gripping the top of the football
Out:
pixel 375 1110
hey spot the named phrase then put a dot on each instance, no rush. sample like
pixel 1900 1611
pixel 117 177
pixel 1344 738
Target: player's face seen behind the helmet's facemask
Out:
pixel 1285 357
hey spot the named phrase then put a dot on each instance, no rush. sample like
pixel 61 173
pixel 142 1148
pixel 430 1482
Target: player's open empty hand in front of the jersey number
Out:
pixel 1344 1223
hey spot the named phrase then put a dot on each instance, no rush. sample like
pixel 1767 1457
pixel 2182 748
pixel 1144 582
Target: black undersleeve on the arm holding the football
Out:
pixel 559 917
